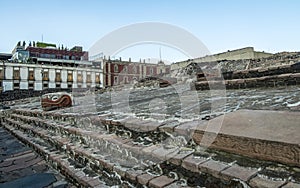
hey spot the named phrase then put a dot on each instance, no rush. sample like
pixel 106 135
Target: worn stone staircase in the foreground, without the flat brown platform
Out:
pixel 101 151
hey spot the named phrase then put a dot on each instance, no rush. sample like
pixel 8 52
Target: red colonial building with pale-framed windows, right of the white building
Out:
pixel 118 72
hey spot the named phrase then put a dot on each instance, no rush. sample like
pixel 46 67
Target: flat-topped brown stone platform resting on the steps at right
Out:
pixel 267 135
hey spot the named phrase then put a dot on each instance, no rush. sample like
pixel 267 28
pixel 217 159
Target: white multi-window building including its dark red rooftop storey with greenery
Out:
pixel 40 68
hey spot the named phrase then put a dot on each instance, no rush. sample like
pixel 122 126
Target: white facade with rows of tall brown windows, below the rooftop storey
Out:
pixel 38 77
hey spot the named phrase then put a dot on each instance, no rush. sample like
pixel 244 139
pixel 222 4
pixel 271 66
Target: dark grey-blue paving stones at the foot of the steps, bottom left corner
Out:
pixel 22 167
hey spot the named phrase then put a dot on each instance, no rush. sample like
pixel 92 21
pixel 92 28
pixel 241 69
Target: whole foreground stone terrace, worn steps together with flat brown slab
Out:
pixel 97 151
